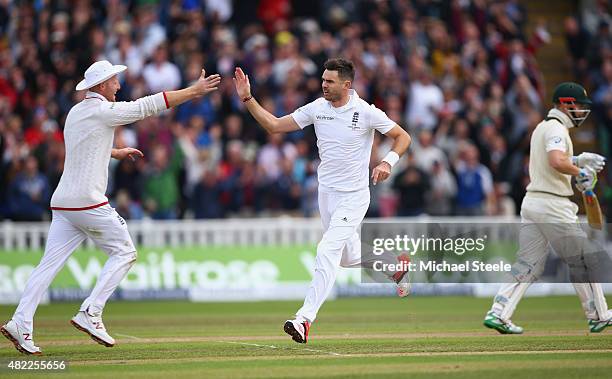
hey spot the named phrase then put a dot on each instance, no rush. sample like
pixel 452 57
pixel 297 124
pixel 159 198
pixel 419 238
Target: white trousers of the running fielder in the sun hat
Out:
pixel 68 229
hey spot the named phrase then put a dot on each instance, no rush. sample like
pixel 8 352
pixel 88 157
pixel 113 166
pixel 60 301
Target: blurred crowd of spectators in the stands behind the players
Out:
pixel 459 75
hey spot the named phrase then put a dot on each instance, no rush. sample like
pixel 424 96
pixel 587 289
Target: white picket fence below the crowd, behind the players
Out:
pixel 25 236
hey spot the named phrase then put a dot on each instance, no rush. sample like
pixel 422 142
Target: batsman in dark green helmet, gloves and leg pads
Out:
pixel 548 216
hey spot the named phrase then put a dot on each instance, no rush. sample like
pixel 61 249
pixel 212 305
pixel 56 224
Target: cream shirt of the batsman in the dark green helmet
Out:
pixel 551 134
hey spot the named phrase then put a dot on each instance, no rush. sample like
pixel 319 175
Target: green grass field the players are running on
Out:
pixel 420 337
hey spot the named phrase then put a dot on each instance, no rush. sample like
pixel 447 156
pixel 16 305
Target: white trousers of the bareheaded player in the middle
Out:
pixel 341 215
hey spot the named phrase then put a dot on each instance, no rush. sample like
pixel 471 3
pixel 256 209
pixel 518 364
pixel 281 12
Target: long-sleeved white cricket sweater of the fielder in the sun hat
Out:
pixel 88 135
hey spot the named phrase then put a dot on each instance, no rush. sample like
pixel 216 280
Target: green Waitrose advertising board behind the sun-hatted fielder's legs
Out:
pixel 197 273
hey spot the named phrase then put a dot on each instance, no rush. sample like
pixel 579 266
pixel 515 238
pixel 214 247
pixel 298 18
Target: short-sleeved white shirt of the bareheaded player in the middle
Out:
pixel 344 137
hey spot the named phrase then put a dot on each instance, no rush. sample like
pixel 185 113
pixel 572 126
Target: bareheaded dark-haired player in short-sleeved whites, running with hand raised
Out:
pixel 344 125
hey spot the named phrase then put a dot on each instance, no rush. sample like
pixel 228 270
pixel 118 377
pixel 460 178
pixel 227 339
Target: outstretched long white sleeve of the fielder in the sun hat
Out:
pixel 127 112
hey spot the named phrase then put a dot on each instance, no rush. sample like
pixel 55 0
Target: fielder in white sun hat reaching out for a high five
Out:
pixel 80 208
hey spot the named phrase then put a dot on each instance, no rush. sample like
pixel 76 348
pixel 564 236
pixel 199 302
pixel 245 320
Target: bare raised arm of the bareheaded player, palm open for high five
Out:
pixel 266 119
